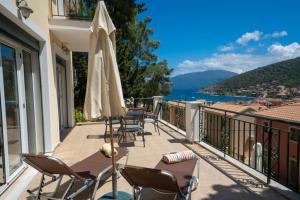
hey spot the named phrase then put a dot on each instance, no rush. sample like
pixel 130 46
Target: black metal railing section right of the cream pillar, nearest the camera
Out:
pixel 267 145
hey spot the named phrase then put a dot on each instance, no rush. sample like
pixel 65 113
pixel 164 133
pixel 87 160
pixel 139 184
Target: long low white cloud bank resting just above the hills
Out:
pixel 239 62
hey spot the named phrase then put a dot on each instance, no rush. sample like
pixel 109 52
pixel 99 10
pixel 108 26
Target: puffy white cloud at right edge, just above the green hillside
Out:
pixel 291 50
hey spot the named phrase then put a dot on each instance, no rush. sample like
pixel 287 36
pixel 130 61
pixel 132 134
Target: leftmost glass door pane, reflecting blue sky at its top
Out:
pixel 11 107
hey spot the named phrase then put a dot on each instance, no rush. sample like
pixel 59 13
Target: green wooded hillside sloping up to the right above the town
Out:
pixel 262 80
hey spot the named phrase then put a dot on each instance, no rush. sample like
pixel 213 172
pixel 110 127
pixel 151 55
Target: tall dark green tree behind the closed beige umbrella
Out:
pixel 142 74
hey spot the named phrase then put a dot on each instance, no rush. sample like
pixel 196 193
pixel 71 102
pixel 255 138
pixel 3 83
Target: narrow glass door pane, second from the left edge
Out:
pixel 28 78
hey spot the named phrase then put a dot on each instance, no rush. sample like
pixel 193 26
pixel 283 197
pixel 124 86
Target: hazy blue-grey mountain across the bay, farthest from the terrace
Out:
pixel 199 80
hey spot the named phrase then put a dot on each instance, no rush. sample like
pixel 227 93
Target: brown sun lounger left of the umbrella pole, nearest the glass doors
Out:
pixel 87 173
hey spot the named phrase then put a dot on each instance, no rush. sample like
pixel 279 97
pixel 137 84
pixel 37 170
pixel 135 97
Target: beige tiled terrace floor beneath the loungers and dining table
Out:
pixel 219 179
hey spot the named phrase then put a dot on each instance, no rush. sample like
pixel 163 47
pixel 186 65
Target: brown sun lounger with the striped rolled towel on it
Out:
pixel 177 178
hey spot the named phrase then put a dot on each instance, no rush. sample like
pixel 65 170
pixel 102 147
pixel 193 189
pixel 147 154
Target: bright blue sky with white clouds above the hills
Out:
pixel 233 35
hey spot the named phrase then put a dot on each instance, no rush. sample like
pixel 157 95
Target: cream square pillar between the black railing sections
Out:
pixel 192 120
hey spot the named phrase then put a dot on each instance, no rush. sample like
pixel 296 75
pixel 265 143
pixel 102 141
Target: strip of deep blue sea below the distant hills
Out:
pixel 193 95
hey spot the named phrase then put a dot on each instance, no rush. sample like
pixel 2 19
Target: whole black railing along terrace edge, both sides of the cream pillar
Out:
pixel 269 146
